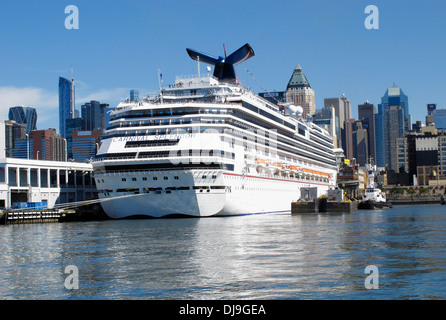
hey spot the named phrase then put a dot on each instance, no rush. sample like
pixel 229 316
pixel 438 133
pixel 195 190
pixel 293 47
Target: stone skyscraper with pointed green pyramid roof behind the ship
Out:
pixel 299 92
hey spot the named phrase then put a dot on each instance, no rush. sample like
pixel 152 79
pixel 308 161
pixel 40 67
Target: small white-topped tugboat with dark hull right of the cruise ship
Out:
pixel 374 198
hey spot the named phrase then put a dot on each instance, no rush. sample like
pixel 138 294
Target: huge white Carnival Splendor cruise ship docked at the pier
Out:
pixel 206 146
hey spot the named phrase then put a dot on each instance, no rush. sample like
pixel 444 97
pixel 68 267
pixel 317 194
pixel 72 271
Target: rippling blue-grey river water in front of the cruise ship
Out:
pixel 320 256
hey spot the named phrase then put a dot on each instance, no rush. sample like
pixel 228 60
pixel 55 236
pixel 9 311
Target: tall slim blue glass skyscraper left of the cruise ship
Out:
pixel 66 103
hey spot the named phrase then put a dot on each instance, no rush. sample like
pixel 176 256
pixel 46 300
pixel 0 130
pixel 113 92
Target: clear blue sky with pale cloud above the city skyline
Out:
pixel 120 45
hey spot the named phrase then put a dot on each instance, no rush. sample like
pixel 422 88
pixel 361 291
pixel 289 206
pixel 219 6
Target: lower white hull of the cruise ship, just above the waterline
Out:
pixel 228 194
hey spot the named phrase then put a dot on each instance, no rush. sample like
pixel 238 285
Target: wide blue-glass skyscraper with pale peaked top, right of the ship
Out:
pixel 391 122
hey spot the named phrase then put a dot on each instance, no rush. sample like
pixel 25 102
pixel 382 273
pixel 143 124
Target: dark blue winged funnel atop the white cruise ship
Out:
pixel 224 67
